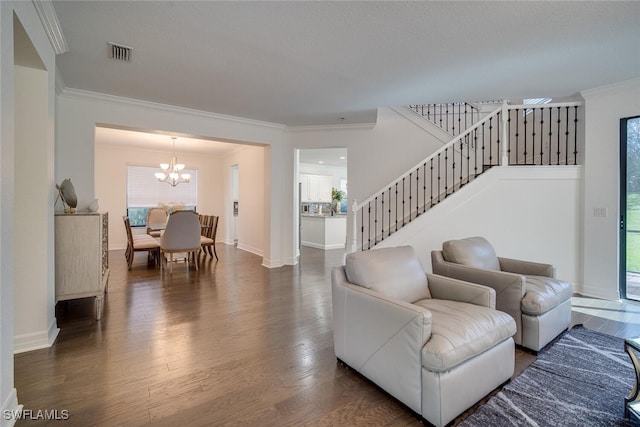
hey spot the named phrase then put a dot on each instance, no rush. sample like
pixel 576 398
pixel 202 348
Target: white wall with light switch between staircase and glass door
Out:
pixel 604 107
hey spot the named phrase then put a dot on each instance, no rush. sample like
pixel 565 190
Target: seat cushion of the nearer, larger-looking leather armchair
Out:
pixel 460 331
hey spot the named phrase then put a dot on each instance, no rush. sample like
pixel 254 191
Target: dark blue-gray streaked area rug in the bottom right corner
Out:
pixel 581 380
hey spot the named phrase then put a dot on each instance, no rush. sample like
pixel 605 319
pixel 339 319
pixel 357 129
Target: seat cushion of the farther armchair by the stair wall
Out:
pixel 543 294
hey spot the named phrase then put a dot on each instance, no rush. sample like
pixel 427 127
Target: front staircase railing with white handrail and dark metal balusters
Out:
pixel 511 135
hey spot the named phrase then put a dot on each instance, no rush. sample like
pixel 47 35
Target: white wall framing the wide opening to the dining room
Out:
pixel 78 112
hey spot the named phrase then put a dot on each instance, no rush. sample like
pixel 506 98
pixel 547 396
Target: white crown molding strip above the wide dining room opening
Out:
pixel 95 96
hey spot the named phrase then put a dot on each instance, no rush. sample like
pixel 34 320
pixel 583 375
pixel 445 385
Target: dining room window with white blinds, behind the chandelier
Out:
pixel 145 191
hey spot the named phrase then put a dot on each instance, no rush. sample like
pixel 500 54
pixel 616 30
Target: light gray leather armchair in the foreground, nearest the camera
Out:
pixel 434 343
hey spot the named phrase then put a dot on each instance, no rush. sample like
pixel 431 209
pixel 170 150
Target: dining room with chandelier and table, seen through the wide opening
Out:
pixel 143 179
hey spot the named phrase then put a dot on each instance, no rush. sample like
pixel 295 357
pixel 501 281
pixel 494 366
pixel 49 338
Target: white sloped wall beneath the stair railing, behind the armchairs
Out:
pixel 525 212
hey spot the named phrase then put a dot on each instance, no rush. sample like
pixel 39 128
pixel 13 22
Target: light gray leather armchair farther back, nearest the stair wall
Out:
pixel 528 291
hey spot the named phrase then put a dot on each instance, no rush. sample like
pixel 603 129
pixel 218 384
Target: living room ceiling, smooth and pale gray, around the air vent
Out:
pixel 302 63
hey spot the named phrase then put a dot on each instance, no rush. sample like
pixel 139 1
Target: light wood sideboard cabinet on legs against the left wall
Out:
pixel 82 257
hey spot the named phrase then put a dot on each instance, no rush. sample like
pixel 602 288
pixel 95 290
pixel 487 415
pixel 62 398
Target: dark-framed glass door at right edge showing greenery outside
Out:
pixel 630 208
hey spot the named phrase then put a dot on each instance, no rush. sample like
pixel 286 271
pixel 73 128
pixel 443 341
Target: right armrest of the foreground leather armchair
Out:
pixel 442 287
